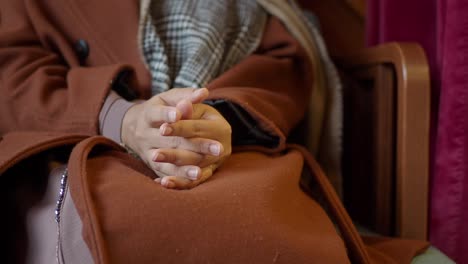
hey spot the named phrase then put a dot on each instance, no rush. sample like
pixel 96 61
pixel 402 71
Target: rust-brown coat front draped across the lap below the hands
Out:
pixel 251 209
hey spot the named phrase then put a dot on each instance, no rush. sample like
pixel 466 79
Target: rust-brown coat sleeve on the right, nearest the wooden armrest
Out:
pixel 272 85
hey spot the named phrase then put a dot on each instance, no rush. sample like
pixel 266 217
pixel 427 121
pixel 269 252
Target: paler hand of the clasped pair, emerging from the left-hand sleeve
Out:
pixel 140 132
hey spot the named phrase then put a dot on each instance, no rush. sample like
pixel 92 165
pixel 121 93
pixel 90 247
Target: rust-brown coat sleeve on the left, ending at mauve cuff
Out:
pixel 38 90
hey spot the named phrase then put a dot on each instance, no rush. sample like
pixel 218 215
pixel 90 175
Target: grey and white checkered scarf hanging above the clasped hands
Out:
pixel 188 43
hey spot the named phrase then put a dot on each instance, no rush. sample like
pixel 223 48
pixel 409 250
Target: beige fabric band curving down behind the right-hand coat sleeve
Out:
pixel 325 114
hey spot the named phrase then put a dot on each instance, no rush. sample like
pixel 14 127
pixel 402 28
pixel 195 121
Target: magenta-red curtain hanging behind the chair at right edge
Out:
pixel 441 27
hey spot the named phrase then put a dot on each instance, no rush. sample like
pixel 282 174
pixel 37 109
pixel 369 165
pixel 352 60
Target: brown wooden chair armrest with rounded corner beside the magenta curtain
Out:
pixel 411 115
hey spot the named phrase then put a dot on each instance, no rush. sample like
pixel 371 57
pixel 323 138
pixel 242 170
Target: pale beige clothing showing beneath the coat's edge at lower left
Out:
pixel 43 233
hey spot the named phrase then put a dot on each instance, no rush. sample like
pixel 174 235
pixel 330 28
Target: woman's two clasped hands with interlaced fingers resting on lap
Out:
pixel 182 140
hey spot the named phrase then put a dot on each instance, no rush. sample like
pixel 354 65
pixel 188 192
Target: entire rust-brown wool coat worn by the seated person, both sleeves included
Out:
pixel 251 211
